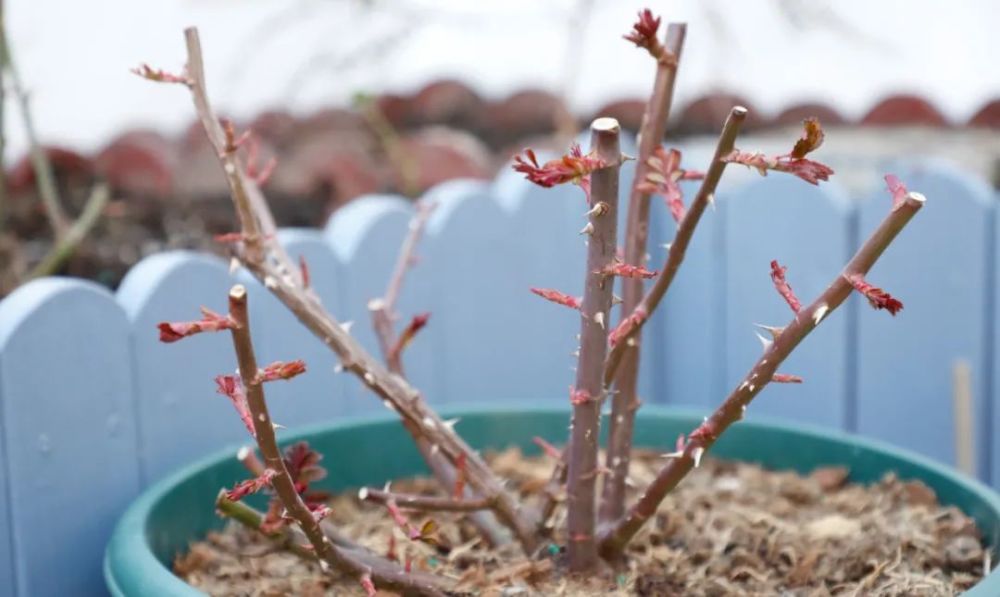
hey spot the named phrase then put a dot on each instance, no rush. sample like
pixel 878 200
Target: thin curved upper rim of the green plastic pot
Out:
pixel 129 549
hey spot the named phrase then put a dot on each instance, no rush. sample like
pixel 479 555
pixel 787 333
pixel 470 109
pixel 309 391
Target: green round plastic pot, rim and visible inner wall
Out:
pixel 178 510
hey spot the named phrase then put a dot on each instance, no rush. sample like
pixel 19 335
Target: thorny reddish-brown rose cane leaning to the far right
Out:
pixel 616 536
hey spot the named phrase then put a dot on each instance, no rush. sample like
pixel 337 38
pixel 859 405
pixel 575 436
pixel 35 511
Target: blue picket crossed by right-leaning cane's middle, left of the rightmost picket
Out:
pixel 807 229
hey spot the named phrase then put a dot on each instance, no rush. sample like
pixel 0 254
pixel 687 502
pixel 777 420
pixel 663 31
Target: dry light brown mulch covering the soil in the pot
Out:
pixel 728 529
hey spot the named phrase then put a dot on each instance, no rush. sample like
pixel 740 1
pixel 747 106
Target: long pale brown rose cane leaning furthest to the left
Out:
pixel 268 261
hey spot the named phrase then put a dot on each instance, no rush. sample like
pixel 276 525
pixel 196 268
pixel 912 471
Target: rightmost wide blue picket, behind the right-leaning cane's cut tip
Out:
pixel 940 268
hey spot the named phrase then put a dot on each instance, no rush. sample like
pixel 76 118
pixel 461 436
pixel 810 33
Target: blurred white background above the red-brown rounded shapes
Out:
pixel 299 55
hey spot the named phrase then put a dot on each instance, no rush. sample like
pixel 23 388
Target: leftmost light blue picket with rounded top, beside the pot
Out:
pixel 69 430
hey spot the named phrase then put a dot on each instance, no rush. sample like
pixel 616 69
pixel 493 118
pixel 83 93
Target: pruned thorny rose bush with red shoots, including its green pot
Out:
pixel 584 529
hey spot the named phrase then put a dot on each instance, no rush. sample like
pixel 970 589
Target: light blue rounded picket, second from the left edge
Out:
pixel 175 392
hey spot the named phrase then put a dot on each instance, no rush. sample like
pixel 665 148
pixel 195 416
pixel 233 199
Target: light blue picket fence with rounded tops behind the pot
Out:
pixel 93 408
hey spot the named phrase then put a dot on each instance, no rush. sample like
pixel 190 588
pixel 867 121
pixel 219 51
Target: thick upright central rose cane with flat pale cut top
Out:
pixel 588 393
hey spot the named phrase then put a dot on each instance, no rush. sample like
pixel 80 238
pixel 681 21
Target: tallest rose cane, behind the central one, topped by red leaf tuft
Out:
pixel 624 401
